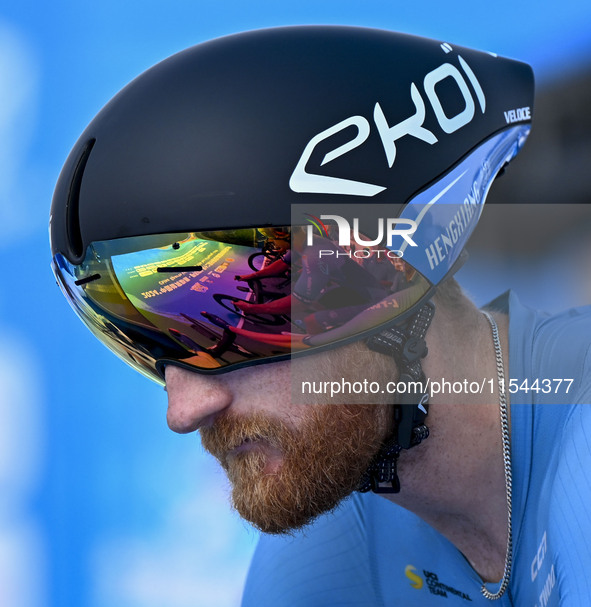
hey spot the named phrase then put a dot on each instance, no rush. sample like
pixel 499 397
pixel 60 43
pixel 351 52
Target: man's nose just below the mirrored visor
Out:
pixel 193 399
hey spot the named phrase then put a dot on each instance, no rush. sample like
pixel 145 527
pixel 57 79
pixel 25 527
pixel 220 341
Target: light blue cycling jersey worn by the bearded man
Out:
pixel 370 552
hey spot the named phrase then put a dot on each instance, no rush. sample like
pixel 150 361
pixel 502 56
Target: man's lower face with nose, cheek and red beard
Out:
pixel 286 464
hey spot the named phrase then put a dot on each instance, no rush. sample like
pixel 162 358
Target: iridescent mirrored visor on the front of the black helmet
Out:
pixel 214 301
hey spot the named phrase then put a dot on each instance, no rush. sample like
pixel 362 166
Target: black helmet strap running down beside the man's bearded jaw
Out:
pixel 406 344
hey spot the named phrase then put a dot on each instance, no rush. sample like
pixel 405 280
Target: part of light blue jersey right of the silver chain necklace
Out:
pixel 551 443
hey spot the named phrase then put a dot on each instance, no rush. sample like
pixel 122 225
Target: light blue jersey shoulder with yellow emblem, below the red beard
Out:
pixel 369 552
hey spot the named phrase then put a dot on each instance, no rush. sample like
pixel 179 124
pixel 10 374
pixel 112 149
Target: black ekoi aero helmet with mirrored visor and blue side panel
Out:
pixel 374 150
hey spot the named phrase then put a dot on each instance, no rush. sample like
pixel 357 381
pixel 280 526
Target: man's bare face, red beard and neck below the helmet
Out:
pixel 290 463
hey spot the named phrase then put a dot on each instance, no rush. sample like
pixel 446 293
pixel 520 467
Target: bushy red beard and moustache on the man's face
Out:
pixel 284 477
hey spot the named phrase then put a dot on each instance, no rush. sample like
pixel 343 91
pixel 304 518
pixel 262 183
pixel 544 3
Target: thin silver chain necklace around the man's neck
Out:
pixel 506 462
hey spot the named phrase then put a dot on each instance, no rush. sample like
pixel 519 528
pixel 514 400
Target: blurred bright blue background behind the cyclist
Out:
pixel 99 503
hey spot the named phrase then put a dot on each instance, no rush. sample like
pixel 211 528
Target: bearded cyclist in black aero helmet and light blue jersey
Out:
pixel 443 498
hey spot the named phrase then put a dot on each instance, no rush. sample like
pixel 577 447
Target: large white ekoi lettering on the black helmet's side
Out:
pixel 302 181
